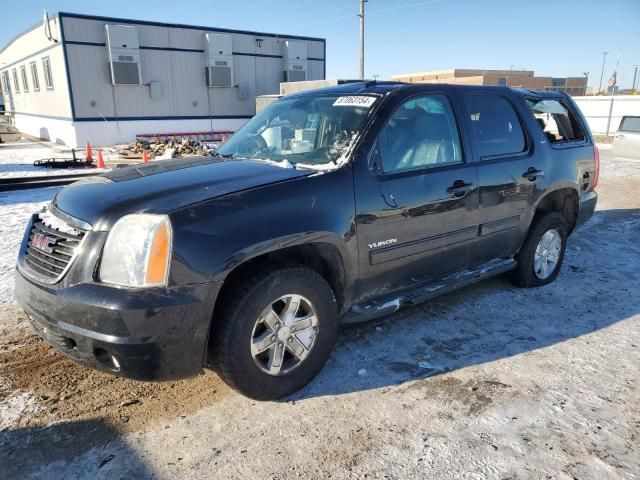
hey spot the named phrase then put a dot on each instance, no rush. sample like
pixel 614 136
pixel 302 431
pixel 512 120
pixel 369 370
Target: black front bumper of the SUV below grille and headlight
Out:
pixel 151 334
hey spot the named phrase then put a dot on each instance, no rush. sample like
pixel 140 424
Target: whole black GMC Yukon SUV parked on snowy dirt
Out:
pixel 335 205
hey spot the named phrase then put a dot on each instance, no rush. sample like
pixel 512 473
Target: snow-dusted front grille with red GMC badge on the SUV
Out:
pixel 52 246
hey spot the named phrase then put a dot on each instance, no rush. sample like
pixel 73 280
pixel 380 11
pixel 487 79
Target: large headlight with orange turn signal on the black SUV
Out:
pixel 137 251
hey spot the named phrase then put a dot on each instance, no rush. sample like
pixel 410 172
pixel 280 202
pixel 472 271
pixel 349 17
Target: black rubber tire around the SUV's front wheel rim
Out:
pixel 234 335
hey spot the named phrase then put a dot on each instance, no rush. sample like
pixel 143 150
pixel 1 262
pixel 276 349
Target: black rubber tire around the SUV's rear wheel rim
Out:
pixel 525 274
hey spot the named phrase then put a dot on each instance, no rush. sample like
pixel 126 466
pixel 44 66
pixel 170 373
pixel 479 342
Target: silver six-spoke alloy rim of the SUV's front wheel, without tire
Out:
pixel 284 334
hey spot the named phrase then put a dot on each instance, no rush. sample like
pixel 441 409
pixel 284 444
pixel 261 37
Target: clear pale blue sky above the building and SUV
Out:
pixel 556 38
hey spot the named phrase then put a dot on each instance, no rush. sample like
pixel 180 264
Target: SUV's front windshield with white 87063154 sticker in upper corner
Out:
pixel 308 130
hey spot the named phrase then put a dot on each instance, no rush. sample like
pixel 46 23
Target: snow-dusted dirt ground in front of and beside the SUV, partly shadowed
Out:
pixel 488 382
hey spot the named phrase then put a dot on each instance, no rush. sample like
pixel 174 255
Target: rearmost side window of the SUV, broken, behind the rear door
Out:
pixel 557 121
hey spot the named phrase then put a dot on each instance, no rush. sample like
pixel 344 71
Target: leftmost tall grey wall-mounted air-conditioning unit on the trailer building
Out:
pixel 123 51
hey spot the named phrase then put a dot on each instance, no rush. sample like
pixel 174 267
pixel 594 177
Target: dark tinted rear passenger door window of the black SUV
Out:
pixel 495 125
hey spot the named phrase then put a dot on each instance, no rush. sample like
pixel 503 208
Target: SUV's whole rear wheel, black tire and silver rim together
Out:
pixel 541 256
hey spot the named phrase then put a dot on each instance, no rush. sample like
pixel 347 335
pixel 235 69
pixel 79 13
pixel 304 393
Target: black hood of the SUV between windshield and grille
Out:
pixel 164 186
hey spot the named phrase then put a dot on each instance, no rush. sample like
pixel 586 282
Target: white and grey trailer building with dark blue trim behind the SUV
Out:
pixel 76 78
